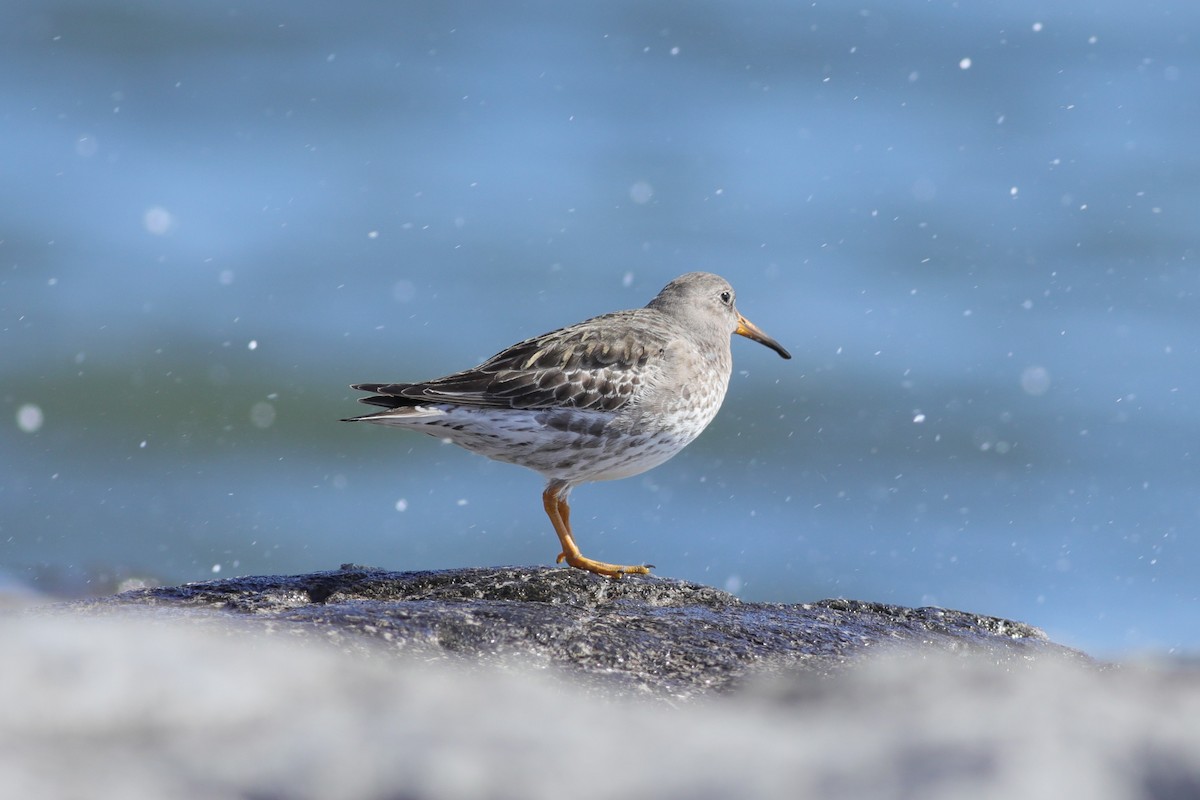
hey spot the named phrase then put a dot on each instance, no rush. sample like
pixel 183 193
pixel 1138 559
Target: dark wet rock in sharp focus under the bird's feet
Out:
pixel 639 634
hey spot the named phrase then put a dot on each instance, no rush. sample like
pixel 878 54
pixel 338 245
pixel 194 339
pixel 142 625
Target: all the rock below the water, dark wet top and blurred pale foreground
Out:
pixel 370 685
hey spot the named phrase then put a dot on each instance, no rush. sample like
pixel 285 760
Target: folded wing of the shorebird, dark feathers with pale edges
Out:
pixel 599 364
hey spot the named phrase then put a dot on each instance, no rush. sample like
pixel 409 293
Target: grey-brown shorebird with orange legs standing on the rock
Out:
pixel 602 400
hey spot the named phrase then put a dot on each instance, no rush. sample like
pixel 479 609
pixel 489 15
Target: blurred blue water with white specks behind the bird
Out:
pixel 974 225
